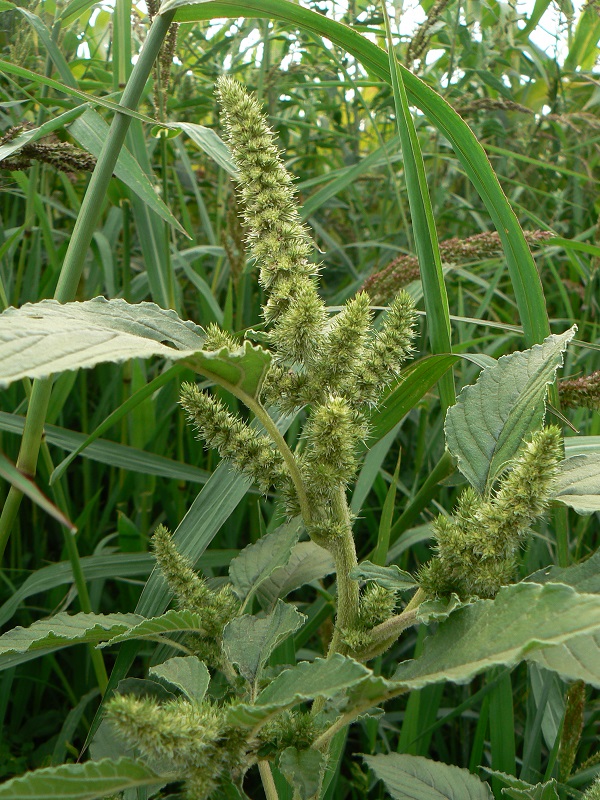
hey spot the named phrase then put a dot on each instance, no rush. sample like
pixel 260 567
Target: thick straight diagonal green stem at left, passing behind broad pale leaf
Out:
pixel 79 243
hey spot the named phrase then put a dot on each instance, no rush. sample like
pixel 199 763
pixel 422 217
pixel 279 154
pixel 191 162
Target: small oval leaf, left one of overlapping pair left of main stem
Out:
pixel 259 560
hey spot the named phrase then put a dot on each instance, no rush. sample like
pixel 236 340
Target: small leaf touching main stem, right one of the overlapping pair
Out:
pixel 307 562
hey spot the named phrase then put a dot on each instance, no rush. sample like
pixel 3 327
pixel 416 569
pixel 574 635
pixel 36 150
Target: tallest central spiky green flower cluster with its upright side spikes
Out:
pixel 338 367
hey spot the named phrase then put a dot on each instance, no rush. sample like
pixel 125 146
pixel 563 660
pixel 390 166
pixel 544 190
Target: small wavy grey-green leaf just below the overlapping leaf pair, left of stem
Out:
pixel 248 641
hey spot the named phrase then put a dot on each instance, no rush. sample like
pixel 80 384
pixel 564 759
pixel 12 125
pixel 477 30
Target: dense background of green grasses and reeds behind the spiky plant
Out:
pixel 534 109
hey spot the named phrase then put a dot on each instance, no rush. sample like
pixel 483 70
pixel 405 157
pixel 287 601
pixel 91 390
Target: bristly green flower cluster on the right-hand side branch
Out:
pixel 476 549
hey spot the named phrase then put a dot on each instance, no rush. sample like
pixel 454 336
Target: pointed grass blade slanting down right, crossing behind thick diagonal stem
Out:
pixel 90 132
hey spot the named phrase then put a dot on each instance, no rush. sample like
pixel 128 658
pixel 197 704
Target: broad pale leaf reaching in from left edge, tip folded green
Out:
pixel 40 339
